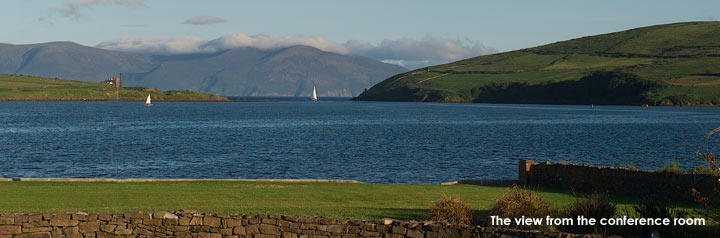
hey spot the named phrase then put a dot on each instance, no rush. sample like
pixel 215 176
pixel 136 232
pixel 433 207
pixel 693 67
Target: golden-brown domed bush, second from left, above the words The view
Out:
pixel 518 202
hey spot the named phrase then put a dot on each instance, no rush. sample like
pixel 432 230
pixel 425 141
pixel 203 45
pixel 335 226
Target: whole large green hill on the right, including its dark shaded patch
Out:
pixel 673 64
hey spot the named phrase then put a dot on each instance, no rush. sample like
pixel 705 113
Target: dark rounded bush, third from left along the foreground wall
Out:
pixel 596 206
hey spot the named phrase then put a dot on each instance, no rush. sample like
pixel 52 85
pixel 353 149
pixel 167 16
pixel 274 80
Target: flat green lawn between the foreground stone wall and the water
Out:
pixel 339 200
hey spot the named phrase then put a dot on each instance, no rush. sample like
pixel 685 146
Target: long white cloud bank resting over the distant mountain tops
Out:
pixel 409 53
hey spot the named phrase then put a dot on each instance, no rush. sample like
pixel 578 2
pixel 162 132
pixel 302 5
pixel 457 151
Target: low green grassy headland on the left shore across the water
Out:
pixel 22 88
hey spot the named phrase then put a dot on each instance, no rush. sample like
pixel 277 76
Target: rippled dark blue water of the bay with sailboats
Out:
pixel 384 142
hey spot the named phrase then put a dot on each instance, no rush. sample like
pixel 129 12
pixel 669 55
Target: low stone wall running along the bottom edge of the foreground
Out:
pixel 194 224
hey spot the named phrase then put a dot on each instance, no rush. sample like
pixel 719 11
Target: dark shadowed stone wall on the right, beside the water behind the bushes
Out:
pixel 639 183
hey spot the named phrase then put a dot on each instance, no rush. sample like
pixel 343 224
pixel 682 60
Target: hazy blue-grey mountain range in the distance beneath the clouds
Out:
pixel 291 71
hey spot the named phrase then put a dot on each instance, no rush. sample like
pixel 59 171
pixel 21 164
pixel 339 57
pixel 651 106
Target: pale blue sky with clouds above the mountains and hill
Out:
pixel 410 33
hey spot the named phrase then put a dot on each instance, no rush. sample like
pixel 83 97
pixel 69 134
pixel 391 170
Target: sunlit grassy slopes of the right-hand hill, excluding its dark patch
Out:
pixel 685 55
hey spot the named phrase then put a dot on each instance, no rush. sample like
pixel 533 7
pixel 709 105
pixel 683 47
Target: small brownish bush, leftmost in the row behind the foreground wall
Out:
pixel 452 211
